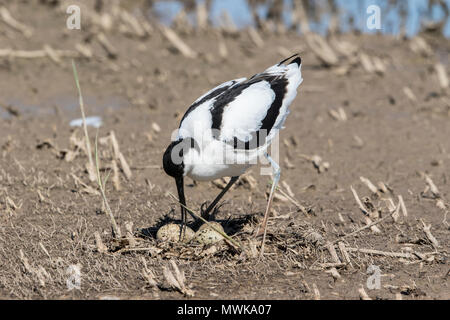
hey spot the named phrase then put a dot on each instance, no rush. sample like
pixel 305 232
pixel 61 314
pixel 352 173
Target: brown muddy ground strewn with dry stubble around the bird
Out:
pixel 49 210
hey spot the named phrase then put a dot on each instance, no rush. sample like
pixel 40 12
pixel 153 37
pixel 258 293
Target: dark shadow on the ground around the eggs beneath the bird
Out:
pixel 232 225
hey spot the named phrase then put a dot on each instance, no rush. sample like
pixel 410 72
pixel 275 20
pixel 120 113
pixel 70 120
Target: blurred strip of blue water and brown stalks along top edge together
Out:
pixel 399 17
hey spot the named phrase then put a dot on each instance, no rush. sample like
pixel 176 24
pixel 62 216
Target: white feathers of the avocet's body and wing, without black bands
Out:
pixel 242 117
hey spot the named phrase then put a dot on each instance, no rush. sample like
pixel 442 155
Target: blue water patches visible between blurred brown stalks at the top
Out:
pixel 416 13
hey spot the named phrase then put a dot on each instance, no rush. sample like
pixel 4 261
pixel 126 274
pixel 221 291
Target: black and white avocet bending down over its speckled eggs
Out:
pixel 226 130
